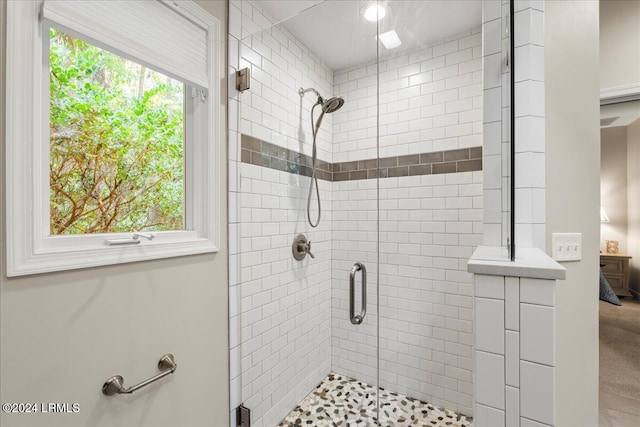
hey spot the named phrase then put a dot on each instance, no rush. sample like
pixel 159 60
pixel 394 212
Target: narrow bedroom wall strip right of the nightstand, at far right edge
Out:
pixel 633 199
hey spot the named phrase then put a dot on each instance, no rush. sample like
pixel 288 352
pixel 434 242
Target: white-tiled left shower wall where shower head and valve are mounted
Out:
pixel 280 308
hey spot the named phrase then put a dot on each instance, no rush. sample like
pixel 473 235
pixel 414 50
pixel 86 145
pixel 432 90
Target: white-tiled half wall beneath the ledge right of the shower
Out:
pixel 522 382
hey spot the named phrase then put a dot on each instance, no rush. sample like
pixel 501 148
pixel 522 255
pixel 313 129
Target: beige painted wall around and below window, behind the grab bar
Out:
pixel 63 334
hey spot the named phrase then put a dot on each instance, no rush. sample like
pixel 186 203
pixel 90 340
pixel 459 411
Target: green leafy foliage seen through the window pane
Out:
pixel 116 143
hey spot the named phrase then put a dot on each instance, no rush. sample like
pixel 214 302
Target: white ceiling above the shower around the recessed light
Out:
pixel 336 31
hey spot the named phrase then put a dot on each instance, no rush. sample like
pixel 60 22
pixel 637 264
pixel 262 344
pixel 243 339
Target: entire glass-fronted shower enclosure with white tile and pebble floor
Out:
pixel 381 316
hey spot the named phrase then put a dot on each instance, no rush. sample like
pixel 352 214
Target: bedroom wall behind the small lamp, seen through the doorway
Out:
pixel 613 186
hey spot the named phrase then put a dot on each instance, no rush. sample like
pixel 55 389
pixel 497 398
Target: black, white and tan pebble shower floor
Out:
pixel 345 402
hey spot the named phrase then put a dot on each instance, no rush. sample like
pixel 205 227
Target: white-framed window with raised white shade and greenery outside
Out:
pixel 112 136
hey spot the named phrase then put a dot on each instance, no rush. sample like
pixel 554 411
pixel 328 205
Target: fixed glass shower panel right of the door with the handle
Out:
pixel 430 198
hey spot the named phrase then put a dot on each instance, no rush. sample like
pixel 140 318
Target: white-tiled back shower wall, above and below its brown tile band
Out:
pixel 430 100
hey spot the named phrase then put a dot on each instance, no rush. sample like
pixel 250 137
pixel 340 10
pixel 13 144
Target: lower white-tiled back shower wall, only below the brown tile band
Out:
pixel 429 226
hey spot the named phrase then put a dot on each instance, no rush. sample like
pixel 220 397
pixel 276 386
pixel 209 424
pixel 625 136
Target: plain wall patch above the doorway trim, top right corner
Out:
pixel 619 43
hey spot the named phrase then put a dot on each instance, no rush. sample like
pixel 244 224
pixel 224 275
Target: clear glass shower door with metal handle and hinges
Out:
pixel 295 352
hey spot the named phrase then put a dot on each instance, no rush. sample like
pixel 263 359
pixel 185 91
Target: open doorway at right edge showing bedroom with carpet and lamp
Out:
pixel 619 331
